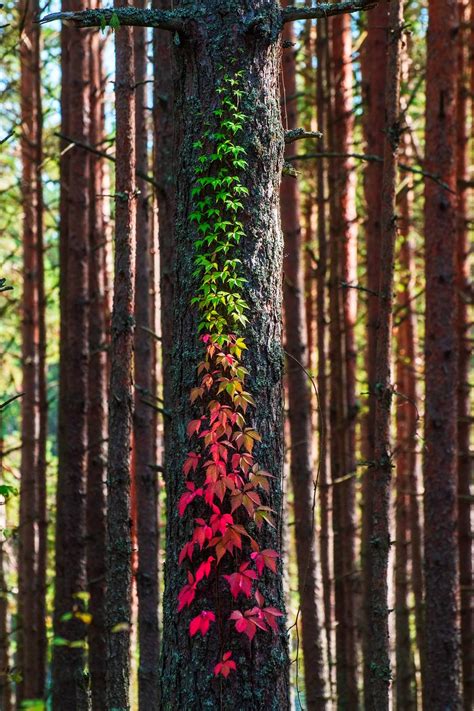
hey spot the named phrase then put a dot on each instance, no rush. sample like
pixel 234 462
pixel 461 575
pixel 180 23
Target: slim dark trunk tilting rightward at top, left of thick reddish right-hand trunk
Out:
pixel 380 471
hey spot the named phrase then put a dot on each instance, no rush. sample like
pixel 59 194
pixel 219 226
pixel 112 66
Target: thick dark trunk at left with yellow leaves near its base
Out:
pixel 69 676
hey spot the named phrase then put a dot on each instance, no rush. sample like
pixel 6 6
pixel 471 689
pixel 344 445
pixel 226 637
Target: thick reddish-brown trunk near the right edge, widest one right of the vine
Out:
pixel 441 354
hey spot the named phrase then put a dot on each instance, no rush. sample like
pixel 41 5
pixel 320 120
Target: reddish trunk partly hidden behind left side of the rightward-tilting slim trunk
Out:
pixel 373 66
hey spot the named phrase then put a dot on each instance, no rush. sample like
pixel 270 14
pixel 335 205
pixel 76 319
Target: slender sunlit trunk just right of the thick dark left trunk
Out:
pixel 97 411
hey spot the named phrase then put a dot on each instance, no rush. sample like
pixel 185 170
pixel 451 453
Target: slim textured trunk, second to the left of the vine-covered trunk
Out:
pixel 119 573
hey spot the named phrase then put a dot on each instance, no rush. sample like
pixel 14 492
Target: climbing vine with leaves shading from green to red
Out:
pixel 222 475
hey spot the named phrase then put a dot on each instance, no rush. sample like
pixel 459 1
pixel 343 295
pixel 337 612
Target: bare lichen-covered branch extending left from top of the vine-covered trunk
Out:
pixel 172 20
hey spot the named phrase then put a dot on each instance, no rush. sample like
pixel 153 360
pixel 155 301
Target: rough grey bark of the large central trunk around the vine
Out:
pixel 261 681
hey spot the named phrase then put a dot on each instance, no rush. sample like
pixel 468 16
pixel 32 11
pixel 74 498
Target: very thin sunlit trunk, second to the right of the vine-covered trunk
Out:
pixel 324 488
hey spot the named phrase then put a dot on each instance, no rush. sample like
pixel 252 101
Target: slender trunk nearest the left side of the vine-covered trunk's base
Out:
pixel 144 422
